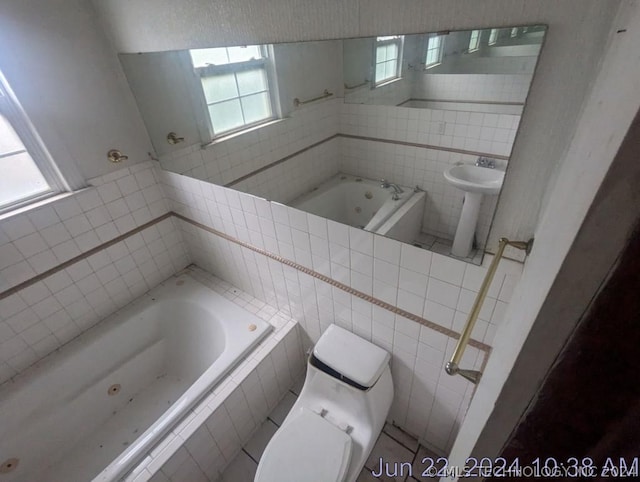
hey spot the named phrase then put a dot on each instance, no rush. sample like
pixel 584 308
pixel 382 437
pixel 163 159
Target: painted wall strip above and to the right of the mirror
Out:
pixel 572 51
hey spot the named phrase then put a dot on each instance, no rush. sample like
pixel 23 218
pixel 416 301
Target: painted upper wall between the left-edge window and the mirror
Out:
pixel 66 75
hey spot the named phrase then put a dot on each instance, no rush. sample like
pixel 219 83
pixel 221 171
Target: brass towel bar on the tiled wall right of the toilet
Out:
pixel 451 366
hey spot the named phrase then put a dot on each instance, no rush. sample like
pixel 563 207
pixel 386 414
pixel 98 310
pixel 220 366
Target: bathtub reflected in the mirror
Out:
pixel 356 201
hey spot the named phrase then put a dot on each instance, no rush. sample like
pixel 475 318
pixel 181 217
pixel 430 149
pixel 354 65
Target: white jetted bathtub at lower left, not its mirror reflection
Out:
pixel 95 407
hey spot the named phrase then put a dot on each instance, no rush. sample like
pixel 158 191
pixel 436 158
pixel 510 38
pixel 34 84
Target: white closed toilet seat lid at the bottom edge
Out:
pixel 306 449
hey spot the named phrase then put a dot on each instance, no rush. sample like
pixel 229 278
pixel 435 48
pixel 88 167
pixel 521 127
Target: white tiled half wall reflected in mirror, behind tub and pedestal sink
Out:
pixel 408 146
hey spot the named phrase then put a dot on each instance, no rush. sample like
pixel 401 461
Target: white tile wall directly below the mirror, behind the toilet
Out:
pixel 428 403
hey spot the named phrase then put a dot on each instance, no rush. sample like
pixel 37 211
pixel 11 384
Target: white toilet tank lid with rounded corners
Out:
pixel 351 356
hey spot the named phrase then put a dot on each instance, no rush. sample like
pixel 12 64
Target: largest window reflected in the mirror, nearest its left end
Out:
pixel 235 83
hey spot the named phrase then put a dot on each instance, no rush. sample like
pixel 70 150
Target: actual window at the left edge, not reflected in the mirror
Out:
pixel 28 174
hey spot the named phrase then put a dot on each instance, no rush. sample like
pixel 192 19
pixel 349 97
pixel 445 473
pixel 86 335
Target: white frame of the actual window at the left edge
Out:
pixel 12 111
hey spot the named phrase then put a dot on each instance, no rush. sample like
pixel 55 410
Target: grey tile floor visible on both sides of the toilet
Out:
pixel 393 445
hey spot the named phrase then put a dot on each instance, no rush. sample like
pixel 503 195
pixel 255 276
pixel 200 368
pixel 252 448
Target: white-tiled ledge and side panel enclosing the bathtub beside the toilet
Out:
pixel 212 434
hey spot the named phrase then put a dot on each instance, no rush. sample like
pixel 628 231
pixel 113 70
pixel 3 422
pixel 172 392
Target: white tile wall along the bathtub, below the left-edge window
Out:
pixel 42 317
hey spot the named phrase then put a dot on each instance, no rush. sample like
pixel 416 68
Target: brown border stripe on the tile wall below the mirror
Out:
pixel 394 309
